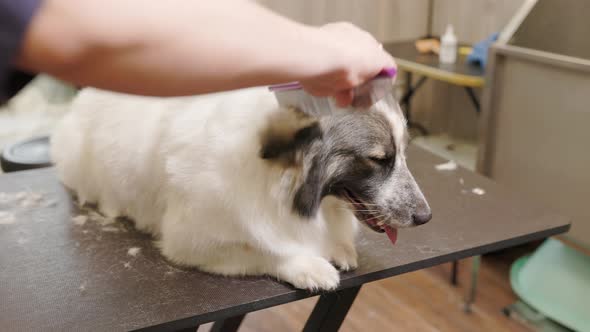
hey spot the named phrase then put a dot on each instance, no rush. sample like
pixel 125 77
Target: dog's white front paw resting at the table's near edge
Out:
pixel 309 272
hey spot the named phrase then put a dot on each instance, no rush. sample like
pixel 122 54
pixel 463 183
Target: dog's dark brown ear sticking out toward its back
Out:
pixel 284 147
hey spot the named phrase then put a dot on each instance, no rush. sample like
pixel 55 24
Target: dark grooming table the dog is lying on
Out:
pixel 61 275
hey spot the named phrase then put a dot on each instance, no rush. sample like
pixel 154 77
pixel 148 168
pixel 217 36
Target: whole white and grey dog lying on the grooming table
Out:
pixel 235 185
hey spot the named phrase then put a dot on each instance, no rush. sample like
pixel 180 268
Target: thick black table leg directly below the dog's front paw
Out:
pixel 330 310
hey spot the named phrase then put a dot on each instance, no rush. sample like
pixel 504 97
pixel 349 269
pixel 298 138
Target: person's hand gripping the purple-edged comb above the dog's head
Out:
pixel 353 56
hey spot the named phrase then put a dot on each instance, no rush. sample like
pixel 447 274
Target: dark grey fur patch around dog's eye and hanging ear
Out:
pixel 342 159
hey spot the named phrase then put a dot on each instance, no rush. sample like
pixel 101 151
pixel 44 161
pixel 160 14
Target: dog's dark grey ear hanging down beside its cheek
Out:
pixel 309 195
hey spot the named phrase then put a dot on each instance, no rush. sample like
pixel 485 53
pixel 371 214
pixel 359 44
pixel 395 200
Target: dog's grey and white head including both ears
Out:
pixel 358 157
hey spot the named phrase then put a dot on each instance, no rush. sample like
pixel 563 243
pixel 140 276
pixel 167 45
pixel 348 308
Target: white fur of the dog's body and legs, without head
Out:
pixel 187 171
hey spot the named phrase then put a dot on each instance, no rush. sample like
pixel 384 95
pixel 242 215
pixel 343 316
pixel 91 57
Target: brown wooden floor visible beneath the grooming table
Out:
pixel 417 301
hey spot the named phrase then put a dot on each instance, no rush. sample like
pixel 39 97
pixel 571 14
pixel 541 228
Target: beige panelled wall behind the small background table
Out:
pixel 442 108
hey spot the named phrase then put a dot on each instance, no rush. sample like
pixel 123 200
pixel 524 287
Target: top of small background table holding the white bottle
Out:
pixel 406 50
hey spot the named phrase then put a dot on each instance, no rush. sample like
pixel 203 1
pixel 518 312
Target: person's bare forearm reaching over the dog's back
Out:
pixel 175 47
